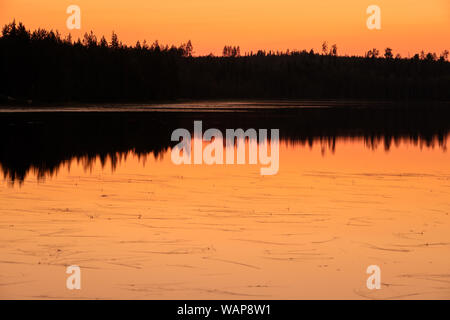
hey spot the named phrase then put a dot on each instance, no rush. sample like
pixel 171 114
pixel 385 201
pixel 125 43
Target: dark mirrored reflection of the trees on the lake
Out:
pixel 42 143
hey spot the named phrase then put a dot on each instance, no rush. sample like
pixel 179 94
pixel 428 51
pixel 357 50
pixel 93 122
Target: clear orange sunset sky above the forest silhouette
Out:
pixel 408 26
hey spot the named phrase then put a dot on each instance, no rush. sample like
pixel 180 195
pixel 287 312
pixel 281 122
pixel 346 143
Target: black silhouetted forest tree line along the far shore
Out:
pixel 42 67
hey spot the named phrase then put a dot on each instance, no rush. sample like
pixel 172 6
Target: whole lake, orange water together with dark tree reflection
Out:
pixel 357 186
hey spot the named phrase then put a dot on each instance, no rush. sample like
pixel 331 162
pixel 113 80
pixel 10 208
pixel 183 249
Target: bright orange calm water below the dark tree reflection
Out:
pixel 142 227
